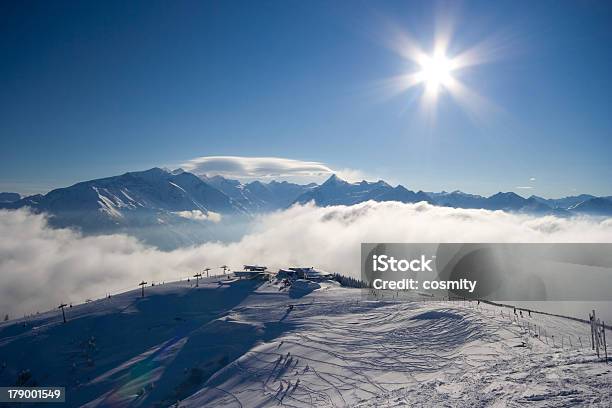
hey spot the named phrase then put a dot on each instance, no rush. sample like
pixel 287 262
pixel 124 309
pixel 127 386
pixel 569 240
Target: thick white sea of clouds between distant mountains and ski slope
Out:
pixel 40 266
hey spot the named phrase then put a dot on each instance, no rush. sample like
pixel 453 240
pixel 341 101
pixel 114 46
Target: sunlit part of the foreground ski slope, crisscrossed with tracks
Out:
pixel 348 352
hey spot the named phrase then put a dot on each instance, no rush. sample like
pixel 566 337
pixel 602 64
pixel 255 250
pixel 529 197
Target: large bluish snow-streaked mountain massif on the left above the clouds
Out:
pixel 163 208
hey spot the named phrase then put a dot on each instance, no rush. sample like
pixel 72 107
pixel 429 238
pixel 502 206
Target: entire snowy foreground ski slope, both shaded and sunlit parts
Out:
pixel 237 344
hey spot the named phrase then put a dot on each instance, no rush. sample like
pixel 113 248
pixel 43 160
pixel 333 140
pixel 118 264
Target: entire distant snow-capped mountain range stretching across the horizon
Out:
pixel 173 208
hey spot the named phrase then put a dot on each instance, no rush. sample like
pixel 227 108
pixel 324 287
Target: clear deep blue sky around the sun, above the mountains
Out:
pixel 91 89
